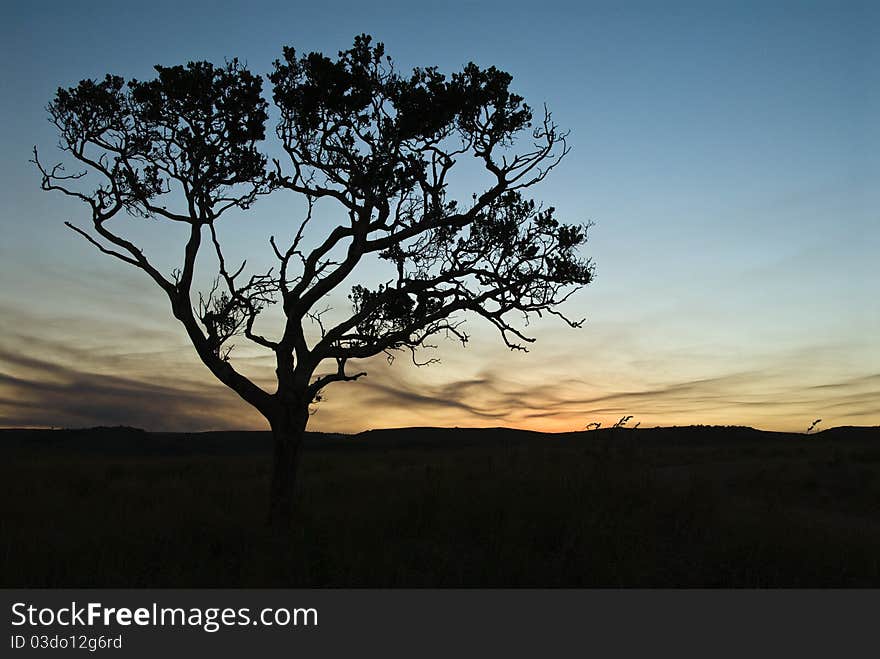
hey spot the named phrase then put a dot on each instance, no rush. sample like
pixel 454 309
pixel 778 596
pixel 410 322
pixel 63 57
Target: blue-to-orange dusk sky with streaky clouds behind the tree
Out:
pixel 728 154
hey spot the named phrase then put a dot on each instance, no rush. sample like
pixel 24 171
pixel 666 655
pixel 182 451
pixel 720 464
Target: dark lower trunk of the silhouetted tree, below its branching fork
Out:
pixel 288 429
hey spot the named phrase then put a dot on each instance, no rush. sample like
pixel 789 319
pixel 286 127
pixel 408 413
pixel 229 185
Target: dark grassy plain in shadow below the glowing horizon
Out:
pixel 673 508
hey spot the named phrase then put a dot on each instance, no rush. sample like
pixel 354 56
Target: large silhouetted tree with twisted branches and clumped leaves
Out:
pixel 356 134
